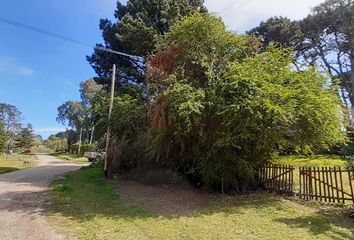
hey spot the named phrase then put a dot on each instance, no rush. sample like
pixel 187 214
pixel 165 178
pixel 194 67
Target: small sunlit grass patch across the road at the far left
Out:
pixel 14 162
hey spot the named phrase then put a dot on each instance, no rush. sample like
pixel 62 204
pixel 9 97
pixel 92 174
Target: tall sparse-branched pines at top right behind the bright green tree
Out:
pixel 324 38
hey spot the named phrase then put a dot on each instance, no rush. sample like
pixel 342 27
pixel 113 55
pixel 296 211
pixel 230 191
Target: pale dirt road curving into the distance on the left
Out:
pixel 22 196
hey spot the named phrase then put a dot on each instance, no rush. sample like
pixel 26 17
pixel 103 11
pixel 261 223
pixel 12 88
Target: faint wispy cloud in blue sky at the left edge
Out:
pixel 9 65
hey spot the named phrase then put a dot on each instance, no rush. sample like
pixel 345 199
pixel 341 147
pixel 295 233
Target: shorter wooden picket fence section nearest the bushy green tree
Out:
pixel 277 178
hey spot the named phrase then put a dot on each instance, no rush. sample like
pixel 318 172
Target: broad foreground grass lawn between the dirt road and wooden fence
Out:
pixel 86 206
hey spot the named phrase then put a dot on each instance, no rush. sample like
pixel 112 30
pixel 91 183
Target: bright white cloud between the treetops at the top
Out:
pixel 242 15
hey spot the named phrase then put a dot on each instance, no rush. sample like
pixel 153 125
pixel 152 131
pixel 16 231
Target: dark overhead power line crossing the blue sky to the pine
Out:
pixel 55 35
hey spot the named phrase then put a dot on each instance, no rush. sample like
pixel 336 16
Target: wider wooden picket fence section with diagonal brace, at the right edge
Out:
pixel 324 184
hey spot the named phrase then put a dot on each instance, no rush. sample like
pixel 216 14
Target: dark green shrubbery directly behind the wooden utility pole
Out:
pixel 129 123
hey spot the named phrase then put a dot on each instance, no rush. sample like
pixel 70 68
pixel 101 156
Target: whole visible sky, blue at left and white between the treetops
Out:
pixel 38 73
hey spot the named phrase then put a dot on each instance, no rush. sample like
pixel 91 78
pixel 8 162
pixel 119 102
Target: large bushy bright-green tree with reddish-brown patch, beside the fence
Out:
pixel 219 108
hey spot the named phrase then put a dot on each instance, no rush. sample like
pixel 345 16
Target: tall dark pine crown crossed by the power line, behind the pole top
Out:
pixel 139 25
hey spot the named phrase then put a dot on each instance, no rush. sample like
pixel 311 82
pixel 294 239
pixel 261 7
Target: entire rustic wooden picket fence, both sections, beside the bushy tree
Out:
pixel 332 185
